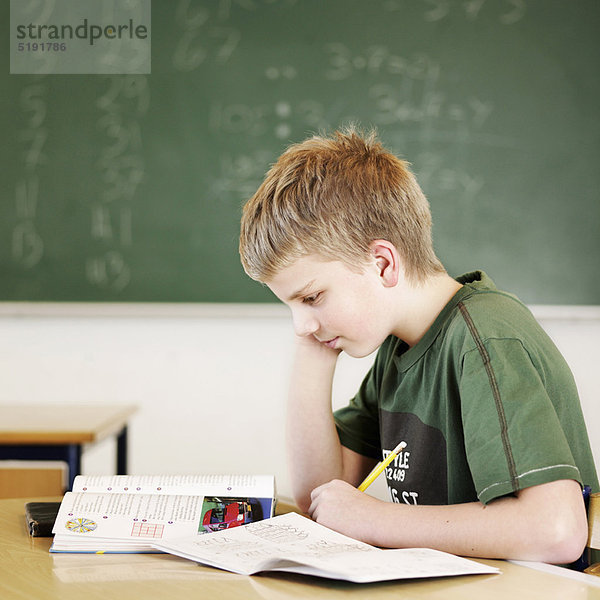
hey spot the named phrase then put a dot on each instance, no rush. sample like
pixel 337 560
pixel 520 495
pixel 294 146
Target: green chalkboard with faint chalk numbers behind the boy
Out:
pixel 129 187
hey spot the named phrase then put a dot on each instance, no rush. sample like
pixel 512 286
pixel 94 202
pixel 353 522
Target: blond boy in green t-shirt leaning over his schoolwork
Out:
pixel 497 448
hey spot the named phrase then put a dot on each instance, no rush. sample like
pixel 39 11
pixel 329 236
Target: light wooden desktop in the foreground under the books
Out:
pixel 28 571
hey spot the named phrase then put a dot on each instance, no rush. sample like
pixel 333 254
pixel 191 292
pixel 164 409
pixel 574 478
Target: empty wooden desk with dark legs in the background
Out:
pixel 58 432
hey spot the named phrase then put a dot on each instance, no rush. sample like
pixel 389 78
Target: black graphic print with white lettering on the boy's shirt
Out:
pixel 418 475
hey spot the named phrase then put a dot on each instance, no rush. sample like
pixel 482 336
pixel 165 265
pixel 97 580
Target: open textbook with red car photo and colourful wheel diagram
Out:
pixel 127 513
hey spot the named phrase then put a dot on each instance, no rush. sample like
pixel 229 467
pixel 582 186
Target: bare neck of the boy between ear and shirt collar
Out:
pixel 421 304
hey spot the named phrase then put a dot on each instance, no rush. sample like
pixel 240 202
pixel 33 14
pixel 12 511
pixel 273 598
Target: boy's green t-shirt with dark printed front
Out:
pixel 485 402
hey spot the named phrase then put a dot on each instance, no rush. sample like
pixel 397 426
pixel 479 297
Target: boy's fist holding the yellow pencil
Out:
pixel 341 507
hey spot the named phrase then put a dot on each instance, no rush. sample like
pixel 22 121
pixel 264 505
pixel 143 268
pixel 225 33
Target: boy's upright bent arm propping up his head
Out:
pixel 315 454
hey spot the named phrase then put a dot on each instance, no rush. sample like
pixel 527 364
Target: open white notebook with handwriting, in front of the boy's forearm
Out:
pixel 296 544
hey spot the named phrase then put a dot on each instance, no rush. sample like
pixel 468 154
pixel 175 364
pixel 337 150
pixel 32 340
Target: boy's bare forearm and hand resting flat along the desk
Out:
pixel 542 523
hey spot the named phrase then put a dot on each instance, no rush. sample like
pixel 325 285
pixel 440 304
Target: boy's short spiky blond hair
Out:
pixel 332 197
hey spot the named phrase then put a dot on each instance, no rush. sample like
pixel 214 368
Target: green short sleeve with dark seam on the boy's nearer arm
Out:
pixel 512 432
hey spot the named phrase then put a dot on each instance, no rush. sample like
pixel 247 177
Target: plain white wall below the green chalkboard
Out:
pixel 210 381
